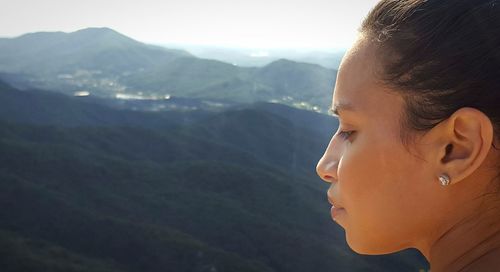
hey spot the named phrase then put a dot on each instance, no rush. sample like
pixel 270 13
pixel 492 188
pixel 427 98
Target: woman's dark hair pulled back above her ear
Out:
pixel 441 54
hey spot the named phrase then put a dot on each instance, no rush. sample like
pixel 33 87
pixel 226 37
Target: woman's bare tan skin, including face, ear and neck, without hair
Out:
pixel 390 192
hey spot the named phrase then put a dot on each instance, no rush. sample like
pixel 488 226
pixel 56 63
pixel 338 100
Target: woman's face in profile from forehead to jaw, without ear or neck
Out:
pixel 385 190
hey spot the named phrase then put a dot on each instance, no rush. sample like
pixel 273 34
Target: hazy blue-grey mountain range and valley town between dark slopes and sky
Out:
pixel 102 62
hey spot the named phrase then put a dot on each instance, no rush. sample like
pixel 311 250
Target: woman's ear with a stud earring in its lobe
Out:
pixel 460 143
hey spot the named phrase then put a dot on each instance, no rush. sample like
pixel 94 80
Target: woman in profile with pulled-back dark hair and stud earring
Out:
pixel 414 162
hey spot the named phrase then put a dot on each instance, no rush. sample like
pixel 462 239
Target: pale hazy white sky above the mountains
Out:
pixel 239 23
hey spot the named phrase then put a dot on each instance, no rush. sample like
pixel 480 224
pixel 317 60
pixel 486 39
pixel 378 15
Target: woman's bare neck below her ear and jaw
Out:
pixel 471 244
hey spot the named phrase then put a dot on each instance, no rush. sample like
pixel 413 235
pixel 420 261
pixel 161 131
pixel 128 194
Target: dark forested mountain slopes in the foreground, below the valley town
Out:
pixel 87 187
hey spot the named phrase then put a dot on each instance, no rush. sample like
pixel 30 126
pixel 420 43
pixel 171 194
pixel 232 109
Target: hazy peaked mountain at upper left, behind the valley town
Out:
pixel 101 50
